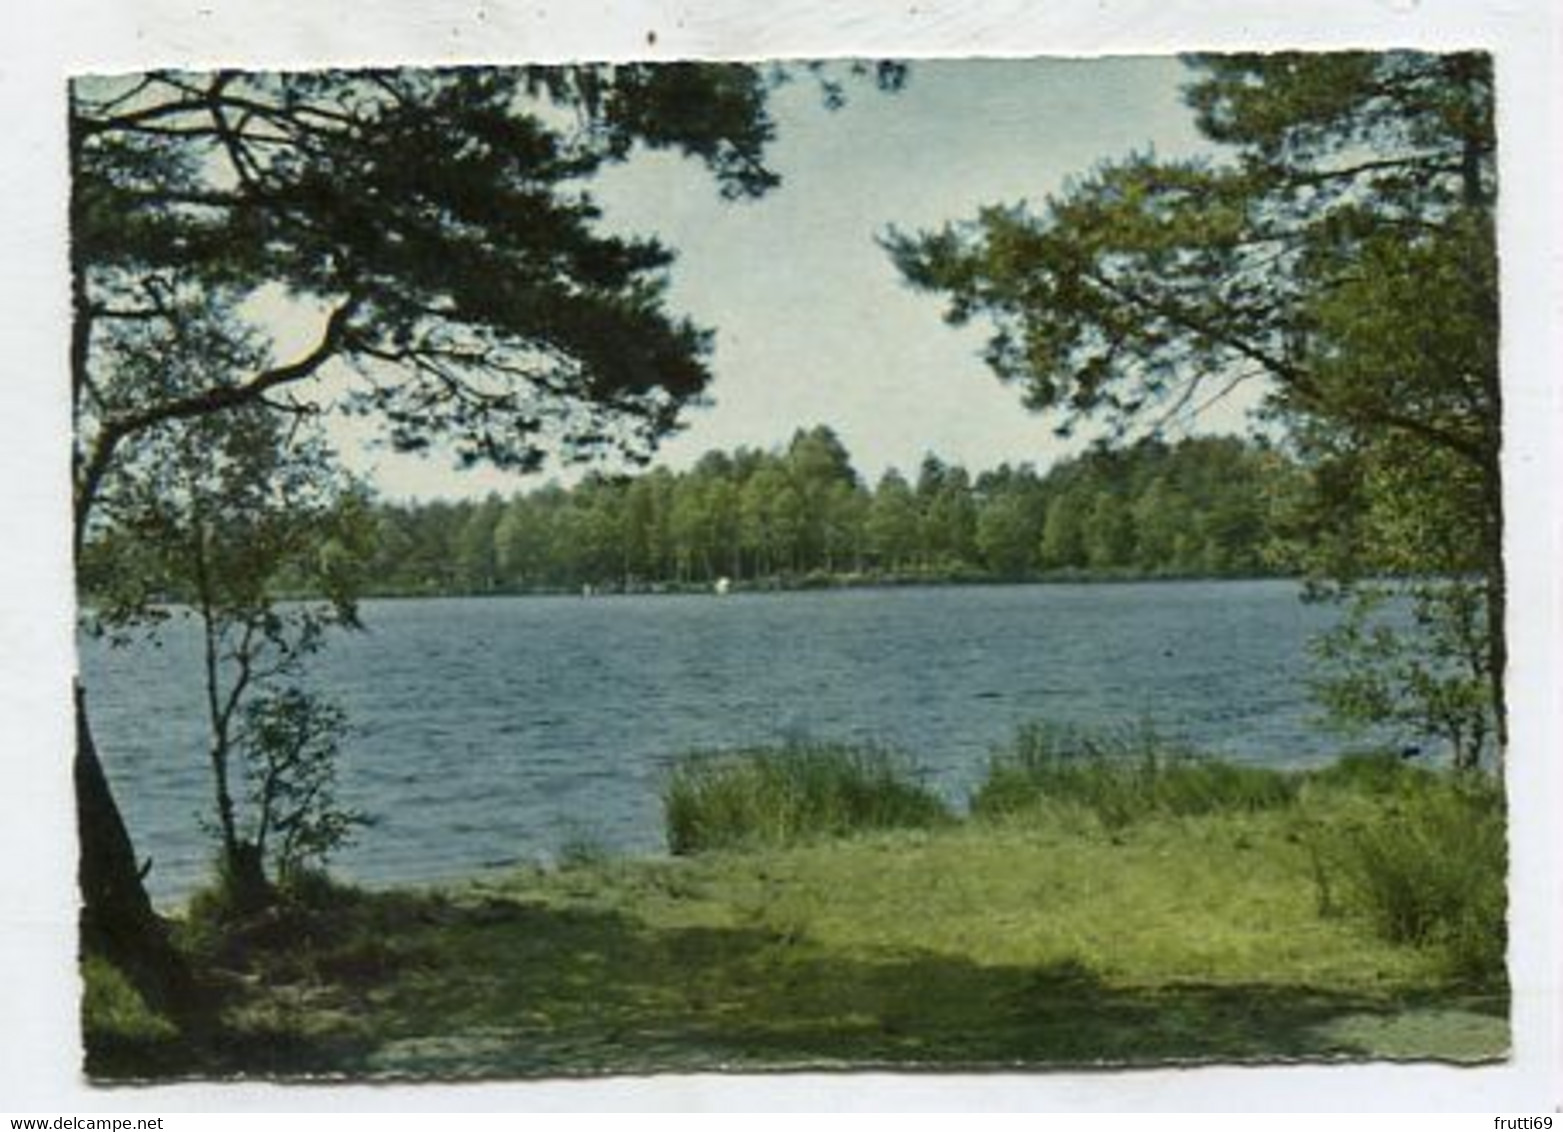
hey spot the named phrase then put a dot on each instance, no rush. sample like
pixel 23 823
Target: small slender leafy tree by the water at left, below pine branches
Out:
pixel 221 515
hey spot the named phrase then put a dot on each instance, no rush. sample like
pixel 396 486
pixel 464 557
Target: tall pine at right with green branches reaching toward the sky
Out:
pixel 1340 251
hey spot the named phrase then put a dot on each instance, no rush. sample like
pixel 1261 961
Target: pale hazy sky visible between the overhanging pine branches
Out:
pixel 814 324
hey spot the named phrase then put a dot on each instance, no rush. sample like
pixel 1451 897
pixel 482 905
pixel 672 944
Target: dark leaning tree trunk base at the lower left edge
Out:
pixel 118 922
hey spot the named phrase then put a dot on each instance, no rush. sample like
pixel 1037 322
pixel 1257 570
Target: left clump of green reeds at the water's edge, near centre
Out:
pixel 776 797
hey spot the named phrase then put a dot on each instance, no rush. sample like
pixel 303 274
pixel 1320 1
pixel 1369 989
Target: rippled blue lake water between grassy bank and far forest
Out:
pixel 493 731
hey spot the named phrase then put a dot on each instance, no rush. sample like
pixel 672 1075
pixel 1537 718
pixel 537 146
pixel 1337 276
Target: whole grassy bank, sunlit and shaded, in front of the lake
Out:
pixel 1117 908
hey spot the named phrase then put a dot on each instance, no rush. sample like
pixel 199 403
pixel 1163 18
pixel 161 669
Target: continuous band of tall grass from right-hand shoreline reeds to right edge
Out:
pixel 1420 856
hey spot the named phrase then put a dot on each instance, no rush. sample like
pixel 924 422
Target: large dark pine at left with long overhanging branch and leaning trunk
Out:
pixel 434 227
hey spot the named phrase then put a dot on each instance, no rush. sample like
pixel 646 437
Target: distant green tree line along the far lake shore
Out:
pixel 1207 507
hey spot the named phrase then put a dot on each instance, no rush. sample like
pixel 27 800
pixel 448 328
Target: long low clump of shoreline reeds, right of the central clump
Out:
pixel 1121 778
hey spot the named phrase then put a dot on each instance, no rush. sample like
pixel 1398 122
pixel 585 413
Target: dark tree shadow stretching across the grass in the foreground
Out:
pixel 509 989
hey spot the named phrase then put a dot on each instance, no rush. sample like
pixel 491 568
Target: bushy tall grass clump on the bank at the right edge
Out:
pixel 1431 870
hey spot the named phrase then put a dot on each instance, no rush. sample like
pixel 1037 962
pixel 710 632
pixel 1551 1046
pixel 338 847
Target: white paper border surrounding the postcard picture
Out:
pixel 38 1061
